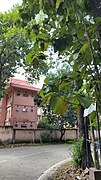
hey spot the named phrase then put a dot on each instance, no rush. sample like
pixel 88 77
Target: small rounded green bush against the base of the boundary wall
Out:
pixel 46 137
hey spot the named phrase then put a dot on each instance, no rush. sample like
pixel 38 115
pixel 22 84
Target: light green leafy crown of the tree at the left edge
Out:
pixel 13 48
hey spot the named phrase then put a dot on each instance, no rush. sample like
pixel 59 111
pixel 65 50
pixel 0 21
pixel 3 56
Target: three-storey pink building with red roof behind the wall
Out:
pixel 17 108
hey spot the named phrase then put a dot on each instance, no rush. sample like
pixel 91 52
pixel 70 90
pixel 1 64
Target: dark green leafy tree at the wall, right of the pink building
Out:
pixel 51 121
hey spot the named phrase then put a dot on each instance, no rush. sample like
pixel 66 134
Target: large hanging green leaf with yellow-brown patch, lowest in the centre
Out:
pixel 58 104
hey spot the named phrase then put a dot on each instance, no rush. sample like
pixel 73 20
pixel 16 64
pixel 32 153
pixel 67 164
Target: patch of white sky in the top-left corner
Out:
pixel 6 5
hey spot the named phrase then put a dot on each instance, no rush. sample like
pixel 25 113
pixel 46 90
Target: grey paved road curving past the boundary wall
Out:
pixel 28 163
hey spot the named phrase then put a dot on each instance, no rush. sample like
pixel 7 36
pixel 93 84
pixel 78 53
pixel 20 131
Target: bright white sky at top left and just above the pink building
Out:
pixel 6 5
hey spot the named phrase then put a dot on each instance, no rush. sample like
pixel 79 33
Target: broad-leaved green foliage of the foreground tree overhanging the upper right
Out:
pixel 72 29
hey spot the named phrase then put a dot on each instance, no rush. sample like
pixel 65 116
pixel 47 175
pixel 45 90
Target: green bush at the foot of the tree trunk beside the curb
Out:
pixel 77 152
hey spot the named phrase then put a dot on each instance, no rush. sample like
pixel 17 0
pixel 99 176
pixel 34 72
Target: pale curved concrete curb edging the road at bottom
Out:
pixel 48 173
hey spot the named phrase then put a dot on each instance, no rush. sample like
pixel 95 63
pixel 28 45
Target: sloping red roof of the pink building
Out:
pixel 22 84
